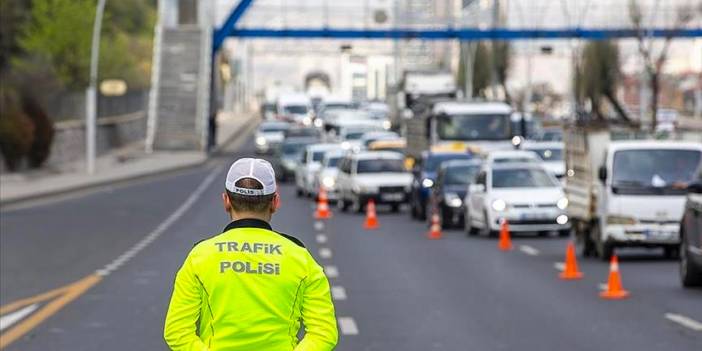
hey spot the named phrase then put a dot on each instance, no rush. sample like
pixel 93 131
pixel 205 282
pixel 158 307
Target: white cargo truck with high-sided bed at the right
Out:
pixel 625 192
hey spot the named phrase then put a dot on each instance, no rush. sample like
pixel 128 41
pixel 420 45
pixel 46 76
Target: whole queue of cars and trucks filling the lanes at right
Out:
pixel 467 164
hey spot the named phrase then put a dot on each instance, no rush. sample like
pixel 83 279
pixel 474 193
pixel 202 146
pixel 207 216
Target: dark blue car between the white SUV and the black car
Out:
pixel 424 172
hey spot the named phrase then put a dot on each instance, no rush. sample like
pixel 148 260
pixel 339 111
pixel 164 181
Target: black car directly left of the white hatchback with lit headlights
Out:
pixel 450 187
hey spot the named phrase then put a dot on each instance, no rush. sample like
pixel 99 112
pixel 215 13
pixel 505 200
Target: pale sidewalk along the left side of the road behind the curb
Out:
pixel 123 164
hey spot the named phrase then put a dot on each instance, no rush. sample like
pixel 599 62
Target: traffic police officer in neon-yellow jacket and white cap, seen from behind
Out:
pixel 249 287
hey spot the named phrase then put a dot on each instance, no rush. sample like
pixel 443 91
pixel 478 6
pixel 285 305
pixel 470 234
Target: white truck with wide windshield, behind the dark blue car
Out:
pixel 474 125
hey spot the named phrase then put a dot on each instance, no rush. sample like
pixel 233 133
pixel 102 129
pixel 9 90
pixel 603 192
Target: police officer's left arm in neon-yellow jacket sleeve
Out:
pixel 180 330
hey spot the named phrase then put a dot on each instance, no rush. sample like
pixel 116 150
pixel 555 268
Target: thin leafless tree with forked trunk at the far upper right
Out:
pixel 653 63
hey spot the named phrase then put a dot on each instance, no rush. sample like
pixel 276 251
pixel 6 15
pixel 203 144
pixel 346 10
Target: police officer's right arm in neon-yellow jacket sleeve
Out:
pixel 318 313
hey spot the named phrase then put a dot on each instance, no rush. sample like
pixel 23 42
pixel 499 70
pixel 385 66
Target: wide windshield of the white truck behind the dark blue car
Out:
pixel 474 127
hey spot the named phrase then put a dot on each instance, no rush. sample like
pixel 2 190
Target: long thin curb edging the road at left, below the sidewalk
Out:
pixel 241 132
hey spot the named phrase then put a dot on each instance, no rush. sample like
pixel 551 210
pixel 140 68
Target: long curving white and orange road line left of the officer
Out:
pixel 56 299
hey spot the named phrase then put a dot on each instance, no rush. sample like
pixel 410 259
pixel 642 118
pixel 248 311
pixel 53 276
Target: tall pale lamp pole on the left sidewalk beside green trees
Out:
pixel 91 92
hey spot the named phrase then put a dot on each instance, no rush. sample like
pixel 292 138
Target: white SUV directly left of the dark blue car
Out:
pixel 377 175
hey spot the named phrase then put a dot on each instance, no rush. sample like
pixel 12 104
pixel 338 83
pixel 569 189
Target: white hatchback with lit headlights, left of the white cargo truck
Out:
pixel 525 194
